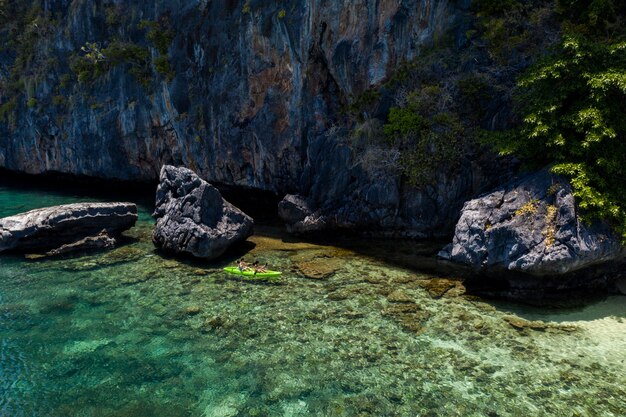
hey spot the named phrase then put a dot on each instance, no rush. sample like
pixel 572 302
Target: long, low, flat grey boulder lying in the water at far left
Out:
pixel 53 227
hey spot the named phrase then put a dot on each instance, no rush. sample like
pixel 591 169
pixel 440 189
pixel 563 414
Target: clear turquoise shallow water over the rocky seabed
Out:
pixel 132 333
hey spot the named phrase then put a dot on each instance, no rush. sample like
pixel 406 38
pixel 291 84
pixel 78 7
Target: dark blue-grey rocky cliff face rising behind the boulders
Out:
pixel 248 99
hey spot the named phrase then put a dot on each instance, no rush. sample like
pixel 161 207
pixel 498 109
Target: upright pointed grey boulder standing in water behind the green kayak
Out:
pixel 193 218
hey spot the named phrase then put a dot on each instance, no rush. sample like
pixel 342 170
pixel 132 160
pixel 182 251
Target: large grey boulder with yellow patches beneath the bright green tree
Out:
pixel 531 226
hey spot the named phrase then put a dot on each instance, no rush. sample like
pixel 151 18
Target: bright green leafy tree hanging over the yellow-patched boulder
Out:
pixel 571 105
